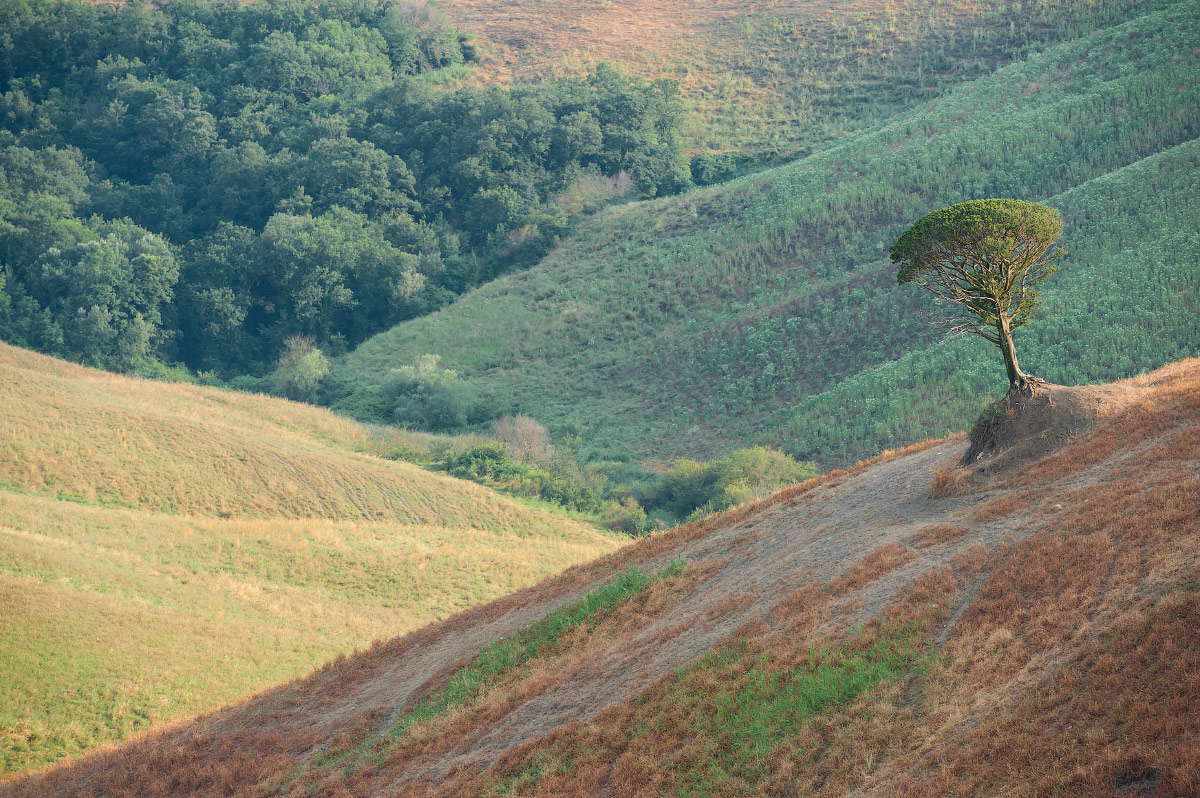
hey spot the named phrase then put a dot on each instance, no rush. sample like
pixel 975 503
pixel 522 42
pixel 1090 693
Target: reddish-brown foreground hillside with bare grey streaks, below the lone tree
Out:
pixel 1051 614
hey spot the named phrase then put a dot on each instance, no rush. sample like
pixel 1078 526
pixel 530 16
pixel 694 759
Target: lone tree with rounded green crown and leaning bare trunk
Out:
pixel 987 257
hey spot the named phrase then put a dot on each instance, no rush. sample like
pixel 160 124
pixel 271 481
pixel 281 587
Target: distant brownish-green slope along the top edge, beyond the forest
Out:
pixel 789 75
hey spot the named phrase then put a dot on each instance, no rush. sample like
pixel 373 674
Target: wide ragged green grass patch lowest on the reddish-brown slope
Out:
pixel 723 721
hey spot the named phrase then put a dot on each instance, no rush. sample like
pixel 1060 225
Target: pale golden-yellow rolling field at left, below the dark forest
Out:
pixel 169 549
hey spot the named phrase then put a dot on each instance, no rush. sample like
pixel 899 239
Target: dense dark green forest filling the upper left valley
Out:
pixel 219 185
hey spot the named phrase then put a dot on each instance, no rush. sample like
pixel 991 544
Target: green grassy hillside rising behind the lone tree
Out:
pixel 765 310
